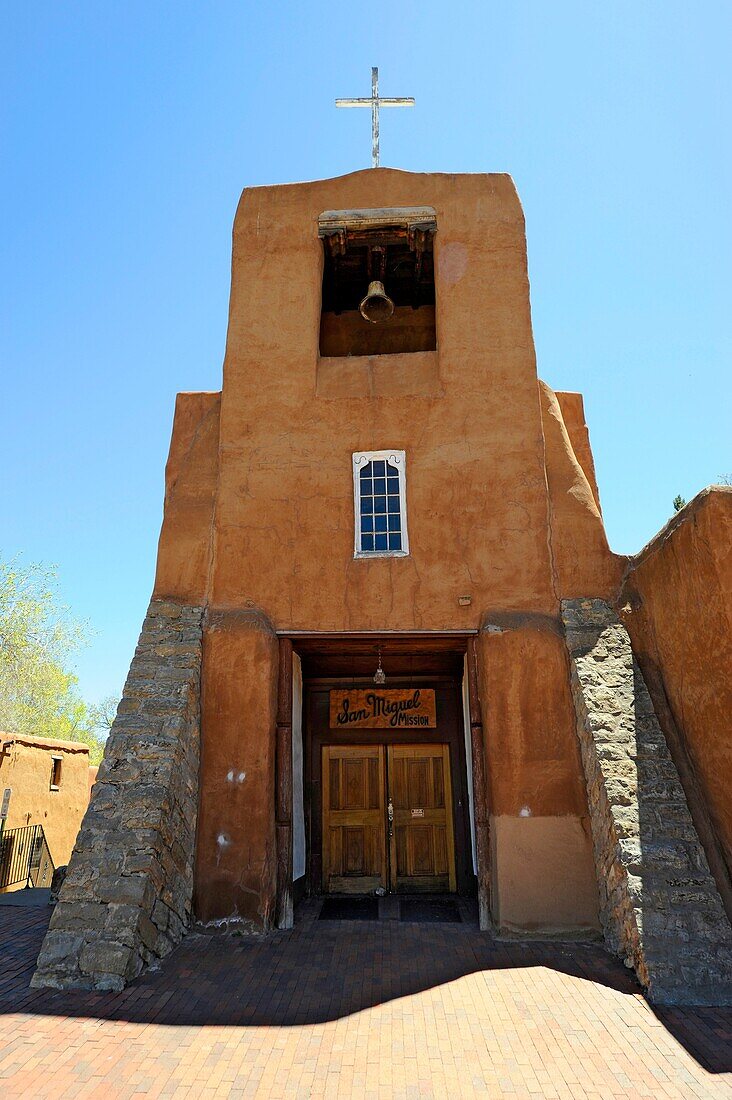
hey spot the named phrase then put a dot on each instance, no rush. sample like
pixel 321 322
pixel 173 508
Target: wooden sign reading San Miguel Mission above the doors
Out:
pixel 384 709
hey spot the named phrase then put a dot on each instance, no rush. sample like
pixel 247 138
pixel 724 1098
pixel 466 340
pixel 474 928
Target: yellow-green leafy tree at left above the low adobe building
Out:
pixel 39 692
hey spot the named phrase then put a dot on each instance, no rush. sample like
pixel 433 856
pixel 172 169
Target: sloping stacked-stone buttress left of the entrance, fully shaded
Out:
pixel 127 898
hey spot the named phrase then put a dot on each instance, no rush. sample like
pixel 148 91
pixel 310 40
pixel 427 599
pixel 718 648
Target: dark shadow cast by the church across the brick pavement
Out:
pixel 322 972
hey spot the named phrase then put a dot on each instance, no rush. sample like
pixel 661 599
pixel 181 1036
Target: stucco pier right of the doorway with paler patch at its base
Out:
pixel 543 874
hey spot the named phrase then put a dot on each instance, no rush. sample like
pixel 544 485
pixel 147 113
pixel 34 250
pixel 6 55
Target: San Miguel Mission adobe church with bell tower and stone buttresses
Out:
pixel 388 650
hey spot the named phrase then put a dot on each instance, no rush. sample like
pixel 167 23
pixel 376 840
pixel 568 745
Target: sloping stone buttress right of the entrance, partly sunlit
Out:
pixel 660 907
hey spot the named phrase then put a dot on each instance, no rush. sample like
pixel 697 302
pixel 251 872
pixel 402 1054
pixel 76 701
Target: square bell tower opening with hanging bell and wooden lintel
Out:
pixel 378 282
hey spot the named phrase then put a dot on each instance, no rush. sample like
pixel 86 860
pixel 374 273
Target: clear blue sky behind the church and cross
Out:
pixel 129 131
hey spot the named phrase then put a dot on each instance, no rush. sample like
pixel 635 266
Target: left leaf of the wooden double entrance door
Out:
pixel 354 851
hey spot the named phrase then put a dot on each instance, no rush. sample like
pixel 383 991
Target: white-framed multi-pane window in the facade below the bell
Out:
pixel 380 499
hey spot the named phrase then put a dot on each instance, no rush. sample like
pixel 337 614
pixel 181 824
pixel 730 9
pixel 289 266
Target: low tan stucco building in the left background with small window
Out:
pixel 26 768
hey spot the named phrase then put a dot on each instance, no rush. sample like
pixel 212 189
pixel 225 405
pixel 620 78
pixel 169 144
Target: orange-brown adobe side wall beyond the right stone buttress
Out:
pixel 678 600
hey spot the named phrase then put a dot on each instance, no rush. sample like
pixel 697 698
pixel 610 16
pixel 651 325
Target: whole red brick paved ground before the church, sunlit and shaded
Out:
pixel 374 1010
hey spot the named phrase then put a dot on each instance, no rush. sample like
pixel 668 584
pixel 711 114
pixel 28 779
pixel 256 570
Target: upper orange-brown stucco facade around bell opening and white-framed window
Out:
pixel 276 470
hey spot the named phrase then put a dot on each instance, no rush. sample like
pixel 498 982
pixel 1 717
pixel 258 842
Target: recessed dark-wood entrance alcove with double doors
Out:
pixel 433 850
